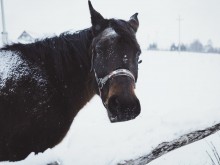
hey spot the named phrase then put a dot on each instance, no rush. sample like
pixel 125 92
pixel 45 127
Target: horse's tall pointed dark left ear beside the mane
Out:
pixel 96 17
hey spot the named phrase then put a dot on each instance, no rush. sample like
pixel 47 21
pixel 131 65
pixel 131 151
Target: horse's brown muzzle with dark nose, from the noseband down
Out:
pixel 121 102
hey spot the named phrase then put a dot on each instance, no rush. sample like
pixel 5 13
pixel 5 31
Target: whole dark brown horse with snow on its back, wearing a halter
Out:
pixel 44 84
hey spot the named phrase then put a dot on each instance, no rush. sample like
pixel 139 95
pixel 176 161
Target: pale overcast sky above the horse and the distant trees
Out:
pixel 158 18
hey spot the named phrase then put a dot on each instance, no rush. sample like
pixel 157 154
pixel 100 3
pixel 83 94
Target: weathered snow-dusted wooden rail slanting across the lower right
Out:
pixel 166 147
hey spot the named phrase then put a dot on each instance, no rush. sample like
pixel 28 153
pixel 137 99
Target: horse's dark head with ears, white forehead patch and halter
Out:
pixel 115 57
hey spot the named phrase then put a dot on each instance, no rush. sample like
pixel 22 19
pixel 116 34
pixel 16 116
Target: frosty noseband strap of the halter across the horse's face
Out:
pixel 119 72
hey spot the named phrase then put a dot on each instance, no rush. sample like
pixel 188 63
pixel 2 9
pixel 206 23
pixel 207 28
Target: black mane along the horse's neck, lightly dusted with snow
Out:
pixel 61 56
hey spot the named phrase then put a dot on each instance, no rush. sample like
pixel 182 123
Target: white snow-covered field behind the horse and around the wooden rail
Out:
pixel 179 93
